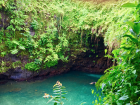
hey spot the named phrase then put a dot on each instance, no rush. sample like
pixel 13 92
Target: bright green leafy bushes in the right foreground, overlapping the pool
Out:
pixel 122 83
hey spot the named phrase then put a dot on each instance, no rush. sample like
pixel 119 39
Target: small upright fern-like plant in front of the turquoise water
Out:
pixel 60 91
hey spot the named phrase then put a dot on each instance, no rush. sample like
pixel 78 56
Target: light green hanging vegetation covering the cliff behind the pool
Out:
pixel 46 30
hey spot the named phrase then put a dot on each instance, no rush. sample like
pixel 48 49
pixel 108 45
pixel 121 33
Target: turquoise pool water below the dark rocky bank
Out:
pixel 31 93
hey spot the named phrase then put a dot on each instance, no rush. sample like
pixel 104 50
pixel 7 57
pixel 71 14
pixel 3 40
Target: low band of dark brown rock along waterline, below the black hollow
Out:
pixel 81 63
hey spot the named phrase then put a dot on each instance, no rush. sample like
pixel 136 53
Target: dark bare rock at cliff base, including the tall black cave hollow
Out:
pixel 92 61
